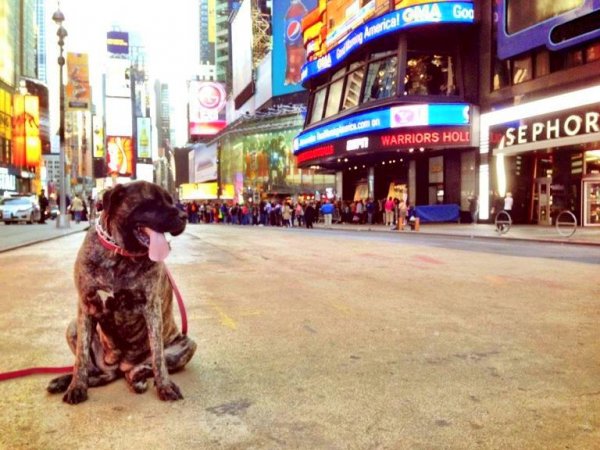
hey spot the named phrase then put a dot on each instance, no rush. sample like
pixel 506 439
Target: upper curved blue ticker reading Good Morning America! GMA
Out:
pixel 441 12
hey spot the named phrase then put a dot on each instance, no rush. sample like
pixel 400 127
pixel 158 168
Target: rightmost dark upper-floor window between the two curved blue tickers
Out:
pixel 429 75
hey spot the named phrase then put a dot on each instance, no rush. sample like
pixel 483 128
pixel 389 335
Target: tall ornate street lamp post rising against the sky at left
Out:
pixel 62 221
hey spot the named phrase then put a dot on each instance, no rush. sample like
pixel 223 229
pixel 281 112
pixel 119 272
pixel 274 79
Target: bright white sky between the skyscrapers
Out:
pixel 168 31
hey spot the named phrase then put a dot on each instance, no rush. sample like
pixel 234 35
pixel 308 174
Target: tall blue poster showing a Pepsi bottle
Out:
pixel 289 54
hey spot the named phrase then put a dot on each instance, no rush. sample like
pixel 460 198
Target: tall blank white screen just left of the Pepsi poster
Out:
pixel 241 49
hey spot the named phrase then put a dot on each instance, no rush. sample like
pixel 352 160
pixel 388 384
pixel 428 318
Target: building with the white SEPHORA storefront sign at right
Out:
pixel 540 99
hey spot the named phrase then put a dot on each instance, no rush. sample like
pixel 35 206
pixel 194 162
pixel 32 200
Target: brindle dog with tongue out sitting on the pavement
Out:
pixel 125 324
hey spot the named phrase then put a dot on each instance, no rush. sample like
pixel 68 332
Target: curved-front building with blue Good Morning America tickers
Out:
pixel 393 106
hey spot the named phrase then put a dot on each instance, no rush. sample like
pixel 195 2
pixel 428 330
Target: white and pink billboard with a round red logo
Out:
pixel 207 101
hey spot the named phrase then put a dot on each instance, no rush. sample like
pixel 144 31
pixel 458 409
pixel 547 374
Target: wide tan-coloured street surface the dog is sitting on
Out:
pixel 329 339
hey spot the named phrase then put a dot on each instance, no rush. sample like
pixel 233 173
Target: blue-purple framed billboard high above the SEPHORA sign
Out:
pixel 527 24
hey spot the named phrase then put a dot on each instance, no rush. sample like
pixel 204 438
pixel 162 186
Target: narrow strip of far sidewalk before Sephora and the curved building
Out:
pixel 582 236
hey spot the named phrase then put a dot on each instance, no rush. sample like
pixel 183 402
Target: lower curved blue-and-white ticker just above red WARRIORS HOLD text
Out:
pixel 445 114
